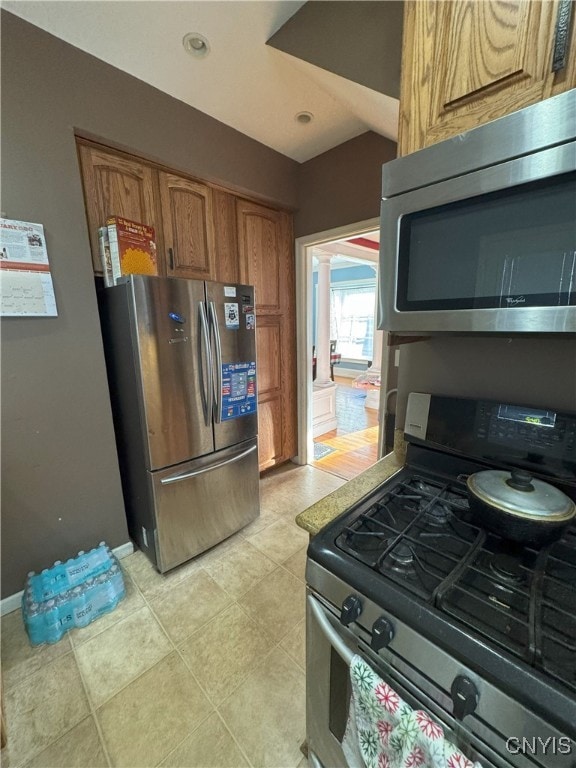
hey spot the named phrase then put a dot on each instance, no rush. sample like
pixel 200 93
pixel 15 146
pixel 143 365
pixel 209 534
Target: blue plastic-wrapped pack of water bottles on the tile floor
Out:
pixel 71 594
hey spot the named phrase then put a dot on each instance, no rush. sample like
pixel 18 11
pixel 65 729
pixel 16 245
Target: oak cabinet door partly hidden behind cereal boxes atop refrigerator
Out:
pixel 115 186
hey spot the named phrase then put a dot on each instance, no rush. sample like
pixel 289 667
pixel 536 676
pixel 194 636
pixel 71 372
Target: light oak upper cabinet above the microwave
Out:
pixel 467 62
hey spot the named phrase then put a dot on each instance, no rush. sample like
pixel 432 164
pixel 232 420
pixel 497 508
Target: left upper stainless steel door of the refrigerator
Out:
pixel 168 351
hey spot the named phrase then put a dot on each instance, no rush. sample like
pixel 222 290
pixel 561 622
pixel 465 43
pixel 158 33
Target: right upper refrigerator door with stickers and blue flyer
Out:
pixel 233 341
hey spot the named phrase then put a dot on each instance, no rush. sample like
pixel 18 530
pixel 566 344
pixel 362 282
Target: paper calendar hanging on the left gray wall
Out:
pixel 26 288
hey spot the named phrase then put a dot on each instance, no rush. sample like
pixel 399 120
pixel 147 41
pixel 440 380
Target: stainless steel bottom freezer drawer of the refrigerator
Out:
pixel 202 502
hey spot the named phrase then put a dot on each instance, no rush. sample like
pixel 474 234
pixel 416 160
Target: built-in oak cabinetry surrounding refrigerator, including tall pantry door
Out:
pixel 206 232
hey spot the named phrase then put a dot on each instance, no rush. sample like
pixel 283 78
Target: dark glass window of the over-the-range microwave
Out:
pixel 512 248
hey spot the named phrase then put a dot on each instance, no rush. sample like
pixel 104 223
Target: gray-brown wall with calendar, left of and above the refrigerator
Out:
pixel 60 482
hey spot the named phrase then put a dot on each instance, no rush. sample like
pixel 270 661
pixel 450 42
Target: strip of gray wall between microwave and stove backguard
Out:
pixel 534 370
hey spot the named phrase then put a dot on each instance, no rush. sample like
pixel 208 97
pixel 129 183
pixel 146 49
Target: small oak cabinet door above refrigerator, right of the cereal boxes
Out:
pixel 187 222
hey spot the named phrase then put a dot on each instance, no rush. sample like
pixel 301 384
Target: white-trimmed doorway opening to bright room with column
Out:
pixel 340 359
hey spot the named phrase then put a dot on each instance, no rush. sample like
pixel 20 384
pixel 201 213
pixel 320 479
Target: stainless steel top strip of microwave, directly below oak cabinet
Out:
pixel 529 130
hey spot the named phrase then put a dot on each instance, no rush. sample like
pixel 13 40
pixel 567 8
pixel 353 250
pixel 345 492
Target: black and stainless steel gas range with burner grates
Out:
pixel 424 587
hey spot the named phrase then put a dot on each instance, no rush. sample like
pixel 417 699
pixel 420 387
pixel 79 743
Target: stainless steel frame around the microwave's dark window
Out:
pixel 548 163
